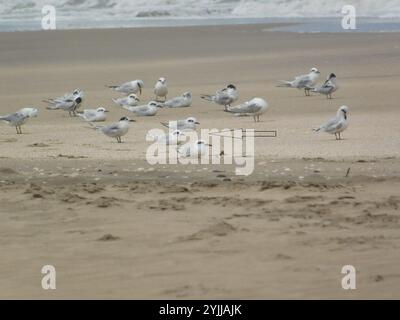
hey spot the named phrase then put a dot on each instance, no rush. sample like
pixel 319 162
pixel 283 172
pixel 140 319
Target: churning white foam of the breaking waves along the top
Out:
pixel 22 9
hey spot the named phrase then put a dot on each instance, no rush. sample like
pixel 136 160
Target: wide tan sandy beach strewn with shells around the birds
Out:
pixel 116 227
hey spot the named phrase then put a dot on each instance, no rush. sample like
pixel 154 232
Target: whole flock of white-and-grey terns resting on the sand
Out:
pixel 71 102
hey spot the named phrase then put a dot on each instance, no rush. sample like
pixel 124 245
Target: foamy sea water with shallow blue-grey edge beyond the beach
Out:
pixel 308 15
